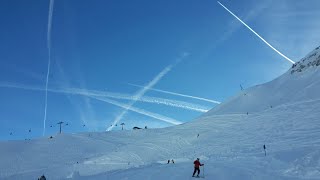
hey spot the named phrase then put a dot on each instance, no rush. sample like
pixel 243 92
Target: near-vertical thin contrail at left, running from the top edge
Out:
pixel 49 62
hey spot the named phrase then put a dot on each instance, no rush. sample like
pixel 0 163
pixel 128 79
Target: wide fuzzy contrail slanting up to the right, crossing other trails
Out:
pixel 142 91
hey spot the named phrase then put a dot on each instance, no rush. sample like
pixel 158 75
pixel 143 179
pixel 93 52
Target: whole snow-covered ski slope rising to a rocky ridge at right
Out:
pixel 282 114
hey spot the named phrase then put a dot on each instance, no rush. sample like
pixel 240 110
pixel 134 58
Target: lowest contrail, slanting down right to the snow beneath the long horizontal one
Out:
pixel 140 111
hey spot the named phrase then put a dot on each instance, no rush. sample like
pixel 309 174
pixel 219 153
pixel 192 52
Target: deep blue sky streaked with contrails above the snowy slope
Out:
pixel 105 45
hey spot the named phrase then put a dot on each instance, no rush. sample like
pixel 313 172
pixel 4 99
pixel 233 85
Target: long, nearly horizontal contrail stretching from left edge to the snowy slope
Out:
pixel 85 92
